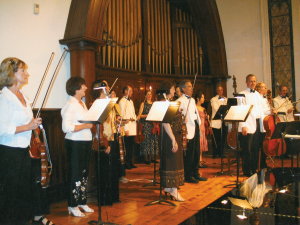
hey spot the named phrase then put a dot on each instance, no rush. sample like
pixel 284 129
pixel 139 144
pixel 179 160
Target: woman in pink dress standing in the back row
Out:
pixel 204 126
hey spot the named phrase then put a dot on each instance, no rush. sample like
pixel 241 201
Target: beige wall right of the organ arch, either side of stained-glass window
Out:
pixel 246 34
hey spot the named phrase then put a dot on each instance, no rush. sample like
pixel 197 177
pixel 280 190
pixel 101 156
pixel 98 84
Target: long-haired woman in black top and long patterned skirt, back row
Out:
pixel 149 146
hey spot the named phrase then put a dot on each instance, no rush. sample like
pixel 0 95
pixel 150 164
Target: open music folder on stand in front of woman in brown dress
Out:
pixel 163 111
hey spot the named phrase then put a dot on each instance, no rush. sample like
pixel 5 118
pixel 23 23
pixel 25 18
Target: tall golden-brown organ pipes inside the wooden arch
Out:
pixel 152 36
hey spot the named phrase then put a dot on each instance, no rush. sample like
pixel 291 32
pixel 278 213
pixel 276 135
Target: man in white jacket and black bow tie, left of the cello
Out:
pixel 249 130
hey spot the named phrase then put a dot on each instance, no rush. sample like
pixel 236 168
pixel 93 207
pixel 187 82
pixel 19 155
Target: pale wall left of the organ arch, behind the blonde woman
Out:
pixel 32 38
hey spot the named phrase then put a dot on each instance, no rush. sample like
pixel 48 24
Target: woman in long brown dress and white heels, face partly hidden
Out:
pixel 172 172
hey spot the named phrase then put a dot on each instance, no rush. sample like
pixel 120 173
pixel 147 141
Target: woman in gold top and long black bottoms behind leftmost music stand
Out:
pixel 109 150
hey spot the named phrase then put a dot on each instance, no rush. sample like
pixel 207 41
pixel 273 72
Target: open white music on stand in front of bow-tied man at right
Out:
pixel 238 113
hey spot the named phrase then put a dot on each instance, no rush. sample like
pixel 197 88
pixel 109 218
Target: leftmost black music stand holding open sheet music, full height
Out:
pixel 97 114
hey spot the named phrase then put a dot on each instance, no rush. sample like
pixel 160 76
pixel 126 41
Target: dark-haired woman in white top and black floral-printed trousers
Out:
pixel 78 143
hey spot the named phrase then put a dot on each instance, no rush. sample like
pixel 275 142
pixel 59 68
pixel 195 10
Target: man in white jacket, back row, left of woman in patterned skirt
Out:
pixel 128 114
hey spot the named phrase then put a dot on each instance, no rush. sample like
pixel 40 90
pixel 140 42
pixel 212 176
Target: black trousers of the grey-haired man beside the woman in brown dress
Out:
pixel 192 155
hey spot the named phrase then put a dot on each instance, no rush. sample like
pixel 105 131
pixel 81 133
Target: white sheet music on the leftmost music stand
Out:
pixel 98 107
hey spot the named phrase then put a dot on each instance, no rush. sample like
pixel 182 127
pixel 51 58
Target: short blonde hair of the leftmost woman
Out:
pixel 8 68
